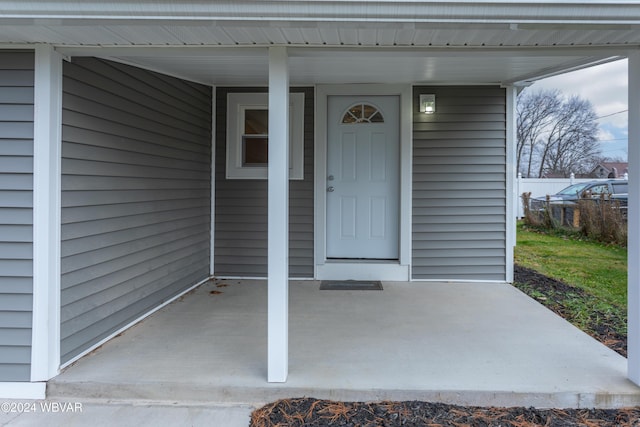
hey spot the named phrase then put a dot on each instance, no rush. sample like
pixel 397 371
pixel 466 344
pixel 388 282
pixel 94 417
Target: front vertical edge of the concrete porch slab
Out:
pixel 199 395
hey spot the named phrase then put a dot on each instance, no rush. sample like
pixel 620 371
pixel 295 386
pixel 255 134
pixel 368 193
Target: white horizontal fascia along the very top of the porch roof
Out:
pixel 497 11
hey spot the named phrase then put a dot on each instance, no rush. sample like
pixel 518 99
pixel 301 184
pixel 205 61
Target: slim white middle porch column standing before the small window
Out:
pixel 278 212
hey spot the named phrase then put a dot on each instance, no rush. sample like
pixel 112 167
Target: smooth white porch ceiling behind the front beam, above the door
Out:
pixel 249 66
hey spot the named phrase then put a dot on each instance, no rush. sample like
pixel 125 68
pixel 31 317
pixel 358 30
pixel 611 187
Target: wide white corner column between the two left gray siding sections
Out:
pixel 45 346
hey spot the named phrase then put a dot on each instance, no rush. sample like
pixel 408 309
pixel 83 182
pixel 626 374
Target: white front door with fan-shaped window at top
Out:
pixel 363 177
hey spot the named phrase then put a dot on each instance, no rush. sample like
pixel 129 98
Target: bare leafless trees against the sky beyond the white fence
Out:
pixel 555 135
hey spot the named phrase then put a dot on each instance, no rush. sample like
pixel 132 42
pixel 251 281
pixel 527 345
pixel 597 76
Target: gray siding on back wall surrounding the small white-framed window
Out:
pixel 241 207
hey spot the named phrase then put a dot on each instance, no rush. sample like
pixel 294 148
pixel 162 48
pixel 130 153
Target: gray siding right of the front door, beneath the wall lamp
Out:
pixel 459 185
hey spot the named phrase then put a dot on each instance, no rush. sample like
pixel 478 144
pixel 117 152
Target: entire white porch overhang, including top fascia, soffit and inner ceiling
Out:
pixel 334 41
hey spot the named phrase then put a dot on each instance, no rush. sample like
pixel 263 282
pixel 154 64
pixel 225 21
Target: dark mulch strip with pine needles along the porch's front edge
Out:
pixel 309 412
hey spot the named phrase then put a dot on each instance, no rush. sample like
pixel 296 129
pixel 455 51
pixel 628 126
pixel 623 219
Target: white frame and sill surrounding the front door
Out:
pixel 383 270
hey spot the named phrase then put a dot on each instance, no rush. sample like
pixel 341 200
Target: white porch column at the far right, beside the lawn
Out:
pixel 633 222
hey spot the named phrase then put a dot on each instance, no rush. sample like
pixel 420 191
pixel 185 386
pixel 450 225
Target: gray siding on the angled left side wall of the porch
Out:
pixel 136 205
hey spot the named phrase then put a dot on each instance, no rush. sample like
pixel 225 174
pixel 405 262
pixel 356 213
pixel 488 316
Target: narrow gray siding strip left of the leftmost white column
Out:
pixel 16 214
